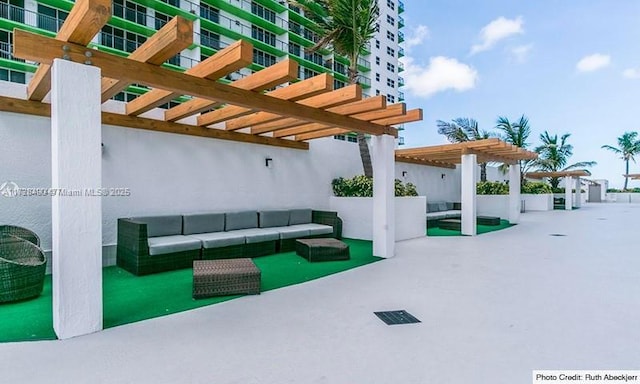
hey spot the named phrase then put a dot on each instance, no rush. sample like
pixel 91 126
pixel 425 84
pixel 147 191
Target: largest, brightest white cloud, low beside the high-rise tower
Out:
pixel 442 74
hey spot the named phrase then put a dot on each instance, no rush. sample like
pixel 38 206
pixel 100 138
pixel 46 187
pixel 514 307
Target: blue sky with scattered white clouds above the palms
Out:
pixel 571 66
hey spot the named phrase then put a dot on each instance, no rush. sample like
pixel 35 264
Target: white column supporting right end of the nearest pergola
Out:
pixel 383 161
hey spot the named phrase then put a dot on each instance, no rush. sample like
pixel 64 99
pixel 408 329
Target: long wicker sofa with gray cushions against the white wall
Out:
pixel 160 243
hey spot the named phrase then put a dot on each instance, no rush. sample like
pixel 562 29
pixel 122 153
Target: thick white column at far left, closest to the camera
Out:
pixel 76 220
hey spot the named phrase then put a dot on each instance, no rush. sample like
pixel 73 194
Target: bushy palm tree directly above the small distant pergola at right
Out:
pixel 553 156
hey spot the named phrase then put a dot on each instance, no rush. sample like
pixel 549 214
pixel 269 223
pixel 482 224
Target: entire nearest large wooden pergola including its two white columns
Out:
pixel 268 107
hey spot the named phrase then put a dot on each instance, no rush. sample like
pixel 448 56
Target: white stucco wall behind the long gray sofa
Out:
pixel 170 173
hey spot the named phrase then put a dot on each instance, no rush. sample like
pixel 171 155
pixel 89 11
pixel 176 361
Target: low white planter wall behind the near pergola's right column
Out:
pixel 357 215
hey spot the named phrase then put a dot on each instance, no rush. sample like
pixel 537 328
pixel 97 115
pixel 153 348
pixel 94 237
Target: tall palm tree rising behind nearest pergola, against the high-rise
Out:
pixel 347 26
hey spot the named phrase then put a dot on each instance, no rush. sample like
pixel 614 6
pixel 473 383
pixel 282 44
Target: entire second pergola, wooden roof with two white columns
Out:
pixel 469 154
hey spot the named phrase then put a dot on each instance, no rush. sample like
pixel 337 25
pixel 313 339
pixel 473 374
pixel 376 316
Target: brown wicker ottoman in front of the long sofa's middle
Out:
pixel 225 277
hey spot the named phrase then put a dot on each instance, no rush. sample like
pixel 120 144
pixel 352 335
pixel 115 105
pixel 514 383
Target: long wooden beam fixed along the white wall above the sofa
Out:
pixel 42 109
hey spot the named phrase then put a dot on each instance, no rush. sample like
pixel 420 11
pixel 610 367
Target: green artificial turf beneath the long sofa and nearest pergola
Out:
pixel 128 298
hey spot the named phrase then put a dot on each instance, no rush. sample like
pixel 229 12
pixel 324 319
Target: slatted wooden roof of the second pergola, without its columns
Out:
pixel 448 155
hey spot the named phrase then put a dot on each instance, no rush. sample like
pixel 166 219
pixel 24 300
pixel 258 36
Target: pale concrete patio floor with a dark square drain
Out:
pixel 493 308
